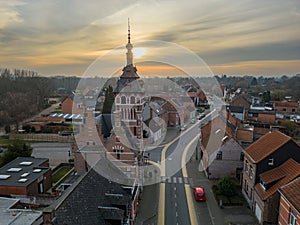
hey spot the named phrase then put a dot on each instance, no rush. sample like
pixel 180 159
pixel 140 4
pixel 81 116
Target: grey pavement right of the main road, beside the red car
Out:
pixel 241 215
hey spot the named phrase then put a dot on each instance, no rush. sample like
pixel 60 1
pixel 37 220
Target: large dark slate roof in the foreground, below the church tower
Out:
pixel 93 198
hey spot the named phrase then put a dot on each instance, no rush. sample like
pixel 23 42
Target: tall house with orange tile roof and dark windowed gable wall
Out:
pixel 268 152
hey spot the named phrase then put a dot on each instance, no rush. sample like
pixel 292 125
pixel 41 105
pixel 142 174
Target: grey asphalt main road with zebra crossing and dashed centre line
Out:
pixel 176 209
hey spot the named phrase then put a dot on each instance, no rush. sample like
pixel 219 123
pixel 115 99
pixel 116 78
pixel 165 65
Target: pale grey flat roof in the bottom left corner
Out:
pixel 12 214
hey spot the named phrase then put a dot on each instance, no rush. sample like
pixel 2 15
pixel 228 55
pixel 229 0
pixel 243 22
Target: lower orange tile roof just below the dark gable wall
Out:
pixel 281 175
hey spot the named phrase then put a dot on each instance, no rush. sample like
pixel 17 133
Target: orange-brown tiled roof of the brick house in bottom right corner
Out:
pixel 291 192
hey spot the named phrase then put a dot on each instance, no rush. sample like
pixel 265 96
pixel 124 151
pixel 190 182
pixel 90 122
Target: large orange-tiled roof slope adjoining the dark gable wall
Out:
pixel 266 145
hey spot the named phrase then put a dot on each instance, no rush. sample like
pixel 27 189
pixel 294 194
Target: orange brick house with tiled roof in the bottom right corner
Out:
pixel 289 209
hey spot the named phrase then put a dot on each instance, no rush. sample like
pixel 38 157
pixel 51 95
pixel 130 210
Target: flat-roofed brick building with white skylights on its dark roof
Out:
pixel 25 176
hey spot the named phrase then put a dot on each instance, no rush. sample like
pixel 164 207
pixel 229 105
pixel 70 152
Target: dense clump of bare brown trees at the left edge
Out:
pixel 22 94
